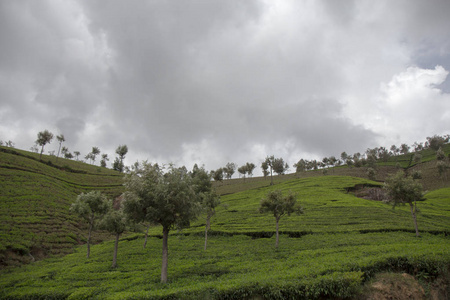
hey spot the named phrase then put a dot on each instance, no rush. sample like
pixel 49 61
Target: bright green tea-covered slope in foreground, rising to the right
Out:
pixel 327 253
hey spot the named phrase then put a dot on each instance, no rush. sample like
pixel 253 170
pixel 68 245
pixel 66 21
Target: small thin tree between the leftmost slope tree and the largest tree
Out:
pixel 114 222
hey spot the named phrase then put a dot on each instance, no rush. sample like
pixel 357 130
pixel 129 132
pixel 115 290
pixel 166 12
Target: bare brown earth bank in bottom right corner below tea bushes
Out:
pixel 398 286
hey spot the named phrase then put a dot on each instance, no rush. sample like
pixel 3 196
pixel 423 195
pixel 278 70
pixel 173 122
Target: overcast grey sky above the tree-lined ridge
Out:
pixel 212 82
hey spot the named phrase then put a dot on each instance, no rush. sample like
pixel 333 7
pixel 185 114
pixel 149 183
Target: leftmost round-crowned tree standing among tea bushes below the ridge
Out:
pixel 90 206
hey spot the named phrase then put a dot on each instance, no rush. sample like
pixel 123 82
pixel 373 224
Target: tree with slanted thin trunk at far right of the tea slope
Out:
pixel 404 190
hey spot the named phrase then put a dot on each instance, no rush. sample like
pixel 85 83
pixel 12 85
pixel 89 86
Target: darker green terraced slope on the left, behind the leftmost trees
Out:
pixel 34 203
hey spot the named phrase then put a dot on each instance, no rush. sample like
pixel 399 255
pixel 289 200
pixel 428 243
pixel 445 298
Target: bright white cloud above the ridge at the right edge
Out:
pixel 409 107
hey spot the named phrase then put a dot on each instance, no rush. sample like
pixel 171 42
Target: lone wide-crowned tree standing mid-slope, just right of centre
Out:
pixel 279 205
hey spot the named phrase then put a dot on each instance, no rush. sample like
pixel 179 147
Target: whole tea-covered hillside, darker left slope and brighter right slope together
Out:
pixel 339 242
